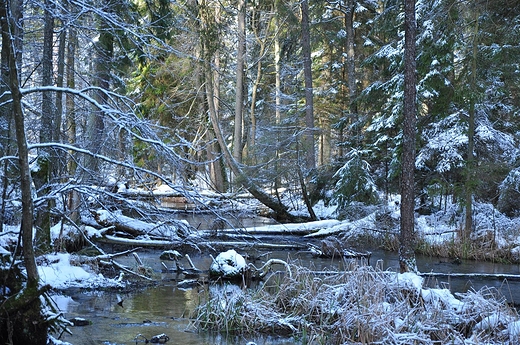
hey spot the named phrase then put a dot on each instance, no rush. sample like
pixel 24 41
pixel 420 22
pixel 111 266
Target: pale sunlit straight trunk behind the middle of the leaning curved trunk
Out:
pixel 239 90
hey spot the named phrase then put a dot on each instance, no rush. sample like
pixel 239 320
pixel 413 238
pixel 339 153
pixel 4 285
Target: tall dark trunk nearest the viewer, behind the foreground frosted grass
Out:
pixel 407 235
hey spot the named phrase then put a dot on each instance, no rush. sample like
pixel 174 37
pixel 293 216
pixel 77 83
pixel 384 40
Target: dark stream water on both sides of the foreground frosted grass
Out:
pixel 165 308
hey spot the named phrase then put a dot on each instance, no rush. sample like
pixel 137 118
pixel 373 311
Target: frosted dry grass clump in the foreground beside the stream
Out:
pixel 363 305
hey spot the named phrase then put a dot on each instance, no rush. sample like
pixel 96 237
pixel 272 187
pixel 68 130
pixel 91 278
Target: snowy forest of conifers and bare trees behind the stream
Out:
pixel 304 103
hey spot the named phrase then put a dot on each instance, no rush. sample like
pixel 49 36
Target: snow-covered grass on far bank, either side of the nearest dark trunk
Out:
pixel 496 237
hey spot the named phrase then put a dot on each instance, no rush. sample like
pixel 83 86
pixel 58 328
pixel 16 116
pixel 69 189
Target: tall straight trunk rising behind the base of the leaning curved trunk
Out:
pixel 308 146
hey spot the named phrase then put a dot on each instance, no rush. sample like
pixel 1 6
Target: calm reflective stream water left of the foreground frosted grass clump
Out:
pixel 118 318
